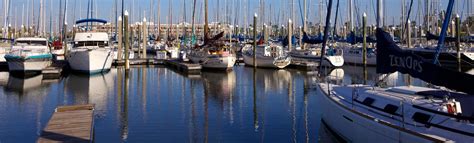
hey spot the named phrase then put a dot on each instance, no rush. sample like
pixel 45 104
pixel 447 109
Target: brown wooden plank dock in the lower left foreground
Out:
pixel 70 124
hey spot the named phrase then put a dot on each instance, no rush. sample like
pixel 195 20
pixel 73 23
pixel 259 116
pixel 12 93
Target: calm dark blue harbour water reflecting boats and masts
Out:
pixel 158 104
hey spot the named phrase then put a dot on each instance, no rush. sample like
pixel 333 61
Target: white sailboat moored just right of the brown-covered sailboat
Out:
pixel 268 56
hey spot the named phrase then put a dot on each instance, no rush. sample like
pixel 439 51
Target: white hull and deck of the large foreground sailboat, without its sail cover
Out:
pixel 359 123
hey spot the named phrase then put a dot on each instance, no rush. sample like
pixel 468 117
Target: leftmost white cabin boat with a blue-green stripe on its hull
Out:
pixel 29 55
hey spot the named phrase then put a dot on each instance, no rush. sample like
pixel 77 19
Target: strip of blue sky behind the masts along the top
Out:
pixel 279 7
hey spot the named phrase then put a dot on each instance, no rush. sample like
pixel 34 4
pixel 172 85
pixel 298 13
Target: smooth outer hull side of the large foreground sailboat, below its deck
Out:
pixel 354 126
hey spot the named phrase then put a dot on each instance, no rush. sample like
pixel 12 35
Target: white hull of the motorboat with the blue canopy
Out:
pixel 91 61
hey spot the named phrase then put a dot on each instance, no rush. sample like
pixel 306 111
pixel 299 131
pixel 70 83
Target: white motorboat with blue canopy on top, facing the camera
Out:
pixel 91 52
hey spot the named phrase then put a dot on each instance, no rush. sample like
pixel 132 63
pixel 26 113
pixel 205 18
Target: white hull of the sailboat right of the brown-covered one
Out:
pixel 267 62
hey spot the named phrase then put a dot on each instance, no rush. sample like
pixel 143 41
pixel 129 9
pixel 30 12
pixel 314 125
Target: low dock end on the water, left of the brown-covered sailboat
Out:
pixel 185 67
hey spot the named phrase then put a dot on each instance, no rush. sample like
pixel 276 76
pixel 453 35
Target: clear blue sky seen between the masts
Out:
pixel 280 10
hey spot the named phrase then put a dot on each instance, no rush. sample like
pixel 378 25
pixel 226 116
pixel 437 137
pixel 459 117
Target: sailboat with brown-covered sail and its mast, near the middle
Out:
pixel 212 54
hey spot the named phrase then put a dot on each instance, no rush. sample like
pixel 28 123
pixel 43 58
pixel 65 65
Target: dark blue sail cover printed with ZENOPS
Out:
pixel 390 58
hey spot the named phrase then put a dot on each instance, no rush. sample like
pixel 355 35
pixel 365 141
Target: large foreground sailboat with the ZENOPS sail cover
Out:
pixel 364 113
